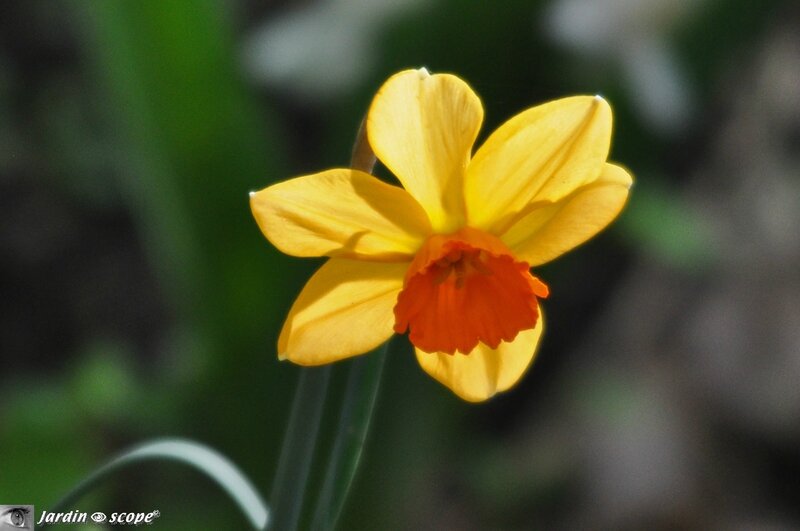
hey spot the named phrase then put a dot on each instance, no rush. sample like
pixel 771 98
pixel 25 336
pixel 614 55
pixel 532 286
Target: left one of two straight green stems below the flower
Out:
pixel 289 486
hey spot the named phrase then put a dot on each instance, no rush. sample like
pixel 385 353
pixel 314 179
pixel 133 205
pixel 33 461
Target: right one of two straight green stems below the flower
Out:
pixel 359 403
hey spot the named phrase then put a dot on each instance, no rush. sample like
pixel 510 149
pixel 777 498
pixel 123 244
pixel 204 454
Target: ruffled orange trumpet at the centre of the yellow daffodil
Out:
pixel 465 288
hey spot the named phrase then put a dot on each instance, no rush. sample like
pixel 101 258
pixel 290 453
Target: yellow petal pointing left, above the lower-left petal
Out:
pixel 342 213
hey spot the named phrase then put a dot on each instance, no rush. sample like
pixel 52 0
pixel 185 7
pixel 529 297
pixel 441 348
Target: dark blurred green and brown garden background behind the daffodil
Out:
pixel 138 298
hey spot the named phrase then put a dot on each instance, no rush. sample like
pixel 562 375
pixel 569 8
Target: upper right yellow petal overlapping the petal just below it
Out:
pixel 542 154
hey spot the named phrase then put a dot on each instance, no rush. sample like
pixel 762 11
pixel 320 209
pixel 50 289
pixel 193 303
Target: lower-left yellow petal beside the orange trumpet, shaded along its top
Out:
pixel 345 309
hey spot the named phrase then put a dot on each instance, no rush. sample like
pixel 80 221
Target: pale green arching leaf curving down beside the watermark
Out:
pixel 204 459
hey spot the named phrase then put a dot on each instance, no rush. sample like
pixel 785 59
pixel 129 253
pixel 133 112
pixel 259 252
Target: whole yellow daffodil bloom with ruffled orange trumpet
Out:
pixel 447 257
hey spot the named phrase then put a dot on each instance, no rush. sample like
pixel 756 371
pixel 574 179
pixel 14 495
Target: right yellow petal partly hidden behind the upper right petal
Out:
pixel 551 229
